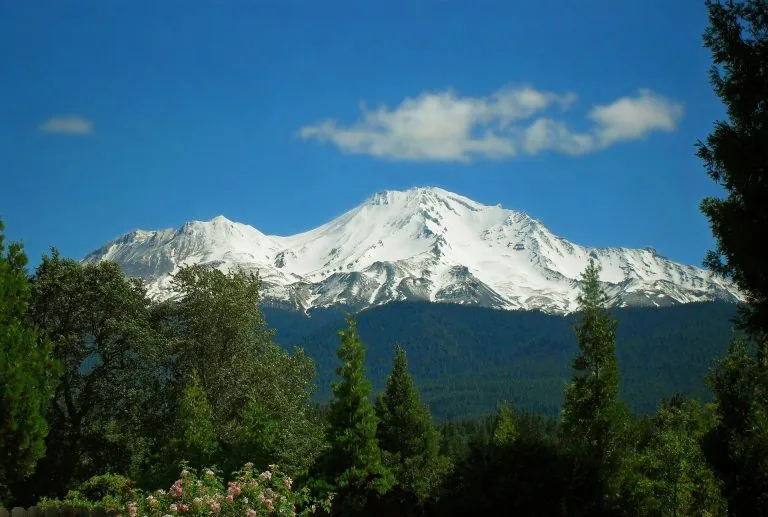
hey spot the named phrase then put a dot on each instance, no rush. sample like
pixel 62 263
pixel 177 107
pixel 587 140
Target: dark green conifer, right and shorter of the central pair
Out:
pixel 406 434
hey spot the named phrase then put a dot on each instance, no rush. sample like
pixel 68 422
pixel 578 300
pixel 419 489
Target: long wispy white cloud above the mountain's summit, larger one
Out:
pixel 442 126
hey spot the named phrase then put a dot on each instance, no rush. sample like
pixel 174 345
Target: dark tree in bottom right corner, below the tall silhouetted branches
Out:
pixel 740 441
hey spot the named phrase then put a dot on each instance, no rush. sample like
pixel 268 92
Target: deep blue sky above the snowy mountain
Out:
pixel 283 114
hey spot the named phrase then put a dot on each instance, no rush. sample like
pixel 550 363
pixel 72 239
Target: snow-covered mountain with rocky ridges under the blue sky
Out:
pixel 423 243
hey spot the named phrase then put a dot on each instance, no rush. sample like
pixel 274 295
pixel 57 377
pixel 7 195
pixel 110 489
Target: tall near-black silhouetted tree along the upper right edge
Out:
pixel 735 154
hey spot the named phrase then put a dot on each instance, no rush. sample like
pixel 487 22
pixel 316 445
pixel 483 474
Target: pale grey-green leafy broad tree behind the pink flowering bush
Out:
pixel 259 394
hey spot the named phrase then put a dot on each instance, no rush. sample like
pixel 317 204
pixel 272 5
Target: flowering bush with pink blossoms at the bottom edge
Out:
pixel 251 494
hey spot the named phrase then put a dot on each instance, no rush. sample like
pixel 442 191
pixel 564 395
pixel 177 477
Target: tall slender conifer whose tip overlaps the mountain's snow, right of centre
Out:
pixel 594 424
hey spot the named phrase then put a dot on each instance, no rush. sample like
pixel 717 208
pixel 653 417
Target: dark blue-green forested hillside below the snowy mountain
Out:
pixel 465 359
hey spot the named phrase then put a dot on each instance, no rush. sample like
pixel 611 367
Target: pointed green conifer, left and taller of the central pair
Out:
pixel 353 464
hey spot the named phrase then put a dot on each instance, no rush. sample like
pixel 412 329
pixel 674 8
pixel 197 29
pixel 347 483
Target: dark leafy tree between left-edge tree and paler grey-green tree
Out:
pixel 111 388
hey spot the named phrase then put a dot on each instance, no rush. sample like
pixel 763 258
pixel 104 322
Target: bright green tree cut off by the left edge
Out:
pixel 27 375
